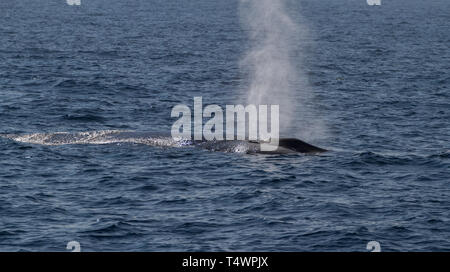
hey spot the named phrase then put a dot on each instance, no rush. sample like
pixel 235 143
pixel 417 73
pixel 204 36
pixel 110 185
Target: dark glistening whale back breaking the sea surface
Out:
pixel 285 145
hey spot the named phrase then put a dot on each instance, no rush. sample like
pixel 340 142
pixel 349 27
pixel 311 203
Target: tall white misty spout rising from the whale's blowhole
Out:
pixel 273 63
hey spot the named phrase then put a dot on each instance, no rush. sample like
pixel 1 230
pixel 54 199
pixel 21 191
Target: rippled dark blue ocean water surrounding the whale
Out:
pixel 378 85
